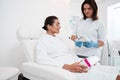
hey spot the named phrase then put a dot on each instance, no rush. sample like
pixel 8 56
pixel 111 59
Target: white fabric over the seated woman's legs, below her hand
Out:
pixel 100 72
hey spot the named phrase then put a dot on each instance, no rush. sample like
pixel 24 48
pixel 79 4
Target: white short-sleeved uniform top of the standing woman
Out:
pixel 93 30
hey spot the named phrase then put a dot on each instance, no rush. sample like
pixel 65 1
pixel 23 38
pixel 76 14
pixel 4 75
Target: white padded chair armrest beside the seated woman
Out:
pixel 47 72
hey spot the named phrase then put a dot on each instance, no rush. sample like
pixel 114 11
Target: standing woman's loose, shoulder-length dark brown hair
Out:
pixel 93 4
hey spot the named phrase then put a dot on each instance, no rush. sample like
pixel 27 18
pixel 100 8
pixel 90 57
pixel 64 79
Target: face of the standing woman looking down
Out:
pixel 88 11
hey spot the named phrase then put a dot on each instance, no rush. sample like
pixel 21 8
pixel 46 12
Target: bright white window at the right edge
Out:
pixel 113 29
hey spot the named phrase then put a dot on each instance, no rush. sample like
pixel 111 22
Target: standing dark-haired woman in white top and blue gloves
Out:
pixel 90 29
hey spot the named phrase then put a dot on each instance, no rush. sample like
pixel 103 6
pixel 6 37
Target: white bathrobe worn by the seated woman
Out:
pixel 53 52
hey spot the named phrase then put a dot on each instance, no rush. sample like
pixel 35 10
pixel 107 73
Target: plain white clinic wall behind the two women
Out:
pixel 30 14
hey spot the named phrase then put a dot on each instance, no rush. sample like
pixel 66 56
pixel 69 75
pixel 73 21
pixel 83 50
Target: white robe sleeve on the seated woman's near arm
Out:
pixel 41 56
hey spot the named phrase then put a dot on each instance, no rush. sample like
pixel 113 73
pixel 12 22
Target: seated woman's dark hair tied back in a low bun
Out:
pixel 49 21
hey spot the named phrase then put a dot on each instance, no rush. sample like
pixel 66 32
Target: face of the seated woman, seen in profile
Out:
pixel 53 29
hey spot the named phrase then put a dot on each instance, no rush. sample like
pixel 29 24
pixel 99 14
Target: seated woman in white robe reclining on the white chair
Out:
pixel 51 51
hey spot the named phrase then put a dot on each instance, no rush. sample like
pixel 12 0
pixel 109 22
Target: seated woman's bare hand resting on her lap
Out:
pixel 75 67
